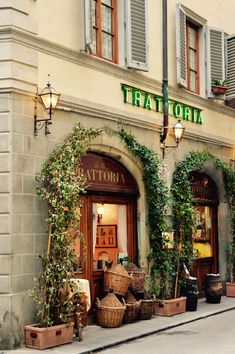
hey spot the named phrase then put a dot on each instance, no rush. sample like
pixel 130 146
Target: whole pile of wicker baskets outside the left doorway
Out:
pixel 125 283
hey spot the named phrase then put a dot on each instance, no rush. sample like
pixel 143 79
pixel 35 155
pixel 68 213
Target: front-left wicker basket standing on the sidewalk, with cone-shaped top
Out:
pixel 110 311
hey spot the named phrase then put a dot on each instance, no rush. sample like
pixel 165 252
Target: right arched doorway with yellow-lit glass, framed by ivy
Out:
pixel 205 238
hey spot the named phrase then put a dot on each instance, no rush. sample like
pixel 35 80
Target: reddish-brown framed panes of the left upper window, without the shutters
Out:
pixel 104 34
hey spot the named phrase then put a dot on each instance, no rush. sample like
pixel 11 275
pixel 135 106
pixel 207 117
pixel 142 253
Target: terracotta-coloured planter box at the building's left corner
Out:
pixel 42 338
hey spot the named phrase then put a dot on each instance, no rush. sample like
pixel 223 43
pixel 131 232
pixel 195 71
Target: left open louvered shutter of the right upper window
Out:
pixel 181 47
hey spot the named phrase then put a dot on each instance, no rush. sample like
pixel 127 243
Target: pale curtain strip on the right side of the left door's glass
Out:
pixel 122 229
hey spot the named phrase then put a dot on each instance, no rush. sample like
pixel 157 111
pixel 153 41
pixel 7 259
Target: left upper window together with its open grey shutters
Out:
pixel 101 33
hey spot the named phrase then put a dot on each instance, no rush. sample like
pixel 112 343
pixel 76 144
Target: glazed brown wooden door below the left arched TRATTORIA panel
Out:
pixel 105 245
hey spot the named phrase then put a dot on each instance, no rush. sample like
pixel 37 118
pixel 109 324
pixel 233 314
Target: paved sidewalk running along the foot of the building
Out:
pixel 96 338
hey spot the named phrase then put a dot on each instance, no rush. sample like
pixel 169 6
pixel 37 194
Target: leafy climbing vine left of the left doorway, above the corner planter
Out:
pixel 61 184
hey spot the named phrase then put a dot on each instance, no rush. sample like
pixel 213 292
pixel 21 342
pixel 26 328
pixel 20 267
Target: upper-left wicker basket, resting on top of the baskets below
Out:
pixel 117 279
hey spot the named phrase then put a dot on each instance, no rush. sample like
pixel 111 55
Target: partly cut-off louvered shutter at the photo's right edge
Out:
pixel 230 69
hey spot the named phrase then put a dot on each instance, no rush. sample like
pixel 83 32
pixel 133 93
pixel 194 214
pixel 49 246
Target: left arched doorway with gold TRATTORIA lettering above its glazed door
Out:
pixel 108 218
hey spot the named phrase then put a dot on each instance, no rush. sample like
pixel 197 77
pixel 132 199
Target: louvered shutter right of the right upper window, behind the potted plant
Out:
pixel 215 57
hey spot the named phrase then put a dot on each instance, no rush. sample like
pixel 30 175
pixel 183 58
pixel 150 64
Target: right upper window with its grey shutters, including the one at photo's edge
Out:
pixel 218 56
